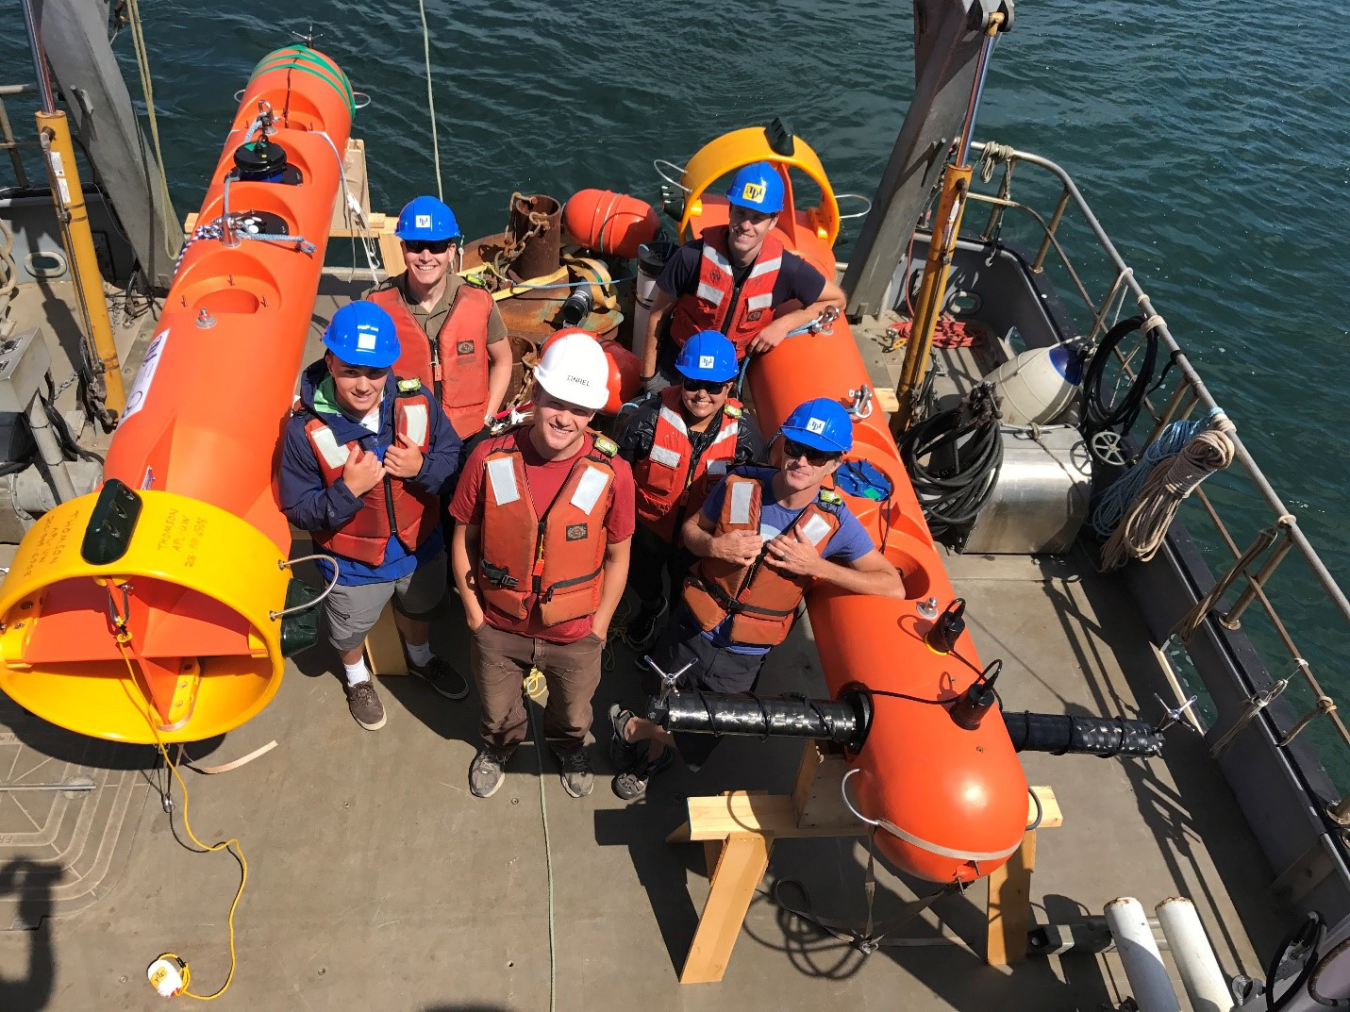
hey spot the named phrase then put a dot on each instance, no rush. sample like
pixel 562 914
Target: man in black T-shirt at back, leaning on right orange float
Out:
pixel 736 279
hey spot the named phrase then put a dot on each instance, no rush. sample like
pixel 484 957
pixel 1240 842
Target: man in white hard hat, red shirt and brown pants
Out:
pixel 541 557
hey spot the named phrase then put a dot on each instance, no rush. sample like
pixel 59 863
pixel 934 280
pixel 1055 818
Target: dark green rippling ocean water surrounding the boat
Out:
pixel 1212 140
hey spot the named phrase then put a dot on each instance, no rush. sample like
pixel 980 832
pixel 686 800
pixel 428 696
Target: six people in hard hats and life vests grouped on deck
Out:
pixel 391 462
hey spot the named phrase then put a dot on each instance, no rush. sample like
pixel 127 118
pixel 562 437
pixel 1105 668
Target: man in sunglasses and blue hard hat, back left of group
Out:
pixel 452 334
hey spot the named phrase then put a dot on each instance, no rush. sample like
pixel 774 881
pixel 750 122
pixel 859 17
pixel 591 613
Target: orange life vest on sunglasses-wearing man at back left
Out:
pixel 456 365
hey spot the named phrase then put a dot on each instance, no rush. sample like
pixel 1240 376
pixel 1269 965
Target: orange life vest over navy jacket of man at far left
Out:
pixel 395 507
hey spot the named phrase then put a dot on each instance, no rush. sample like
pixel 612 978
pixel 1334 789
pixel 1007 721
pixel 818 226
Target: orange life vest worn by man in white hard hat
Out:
pixel 557 558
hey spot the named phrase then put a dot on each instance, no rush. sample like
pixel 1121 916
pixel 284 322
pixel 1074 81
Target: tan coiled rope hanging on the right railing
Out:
pixel 1140 535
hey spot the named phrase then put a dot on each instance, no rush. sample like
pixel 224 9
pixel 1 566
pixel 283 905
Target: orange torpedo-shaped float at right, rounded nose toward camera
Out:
pixel 950 804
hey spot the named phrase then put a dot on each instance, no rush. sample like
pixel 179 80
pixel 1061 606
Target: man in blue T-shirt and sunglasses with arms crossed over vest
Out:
pixel 763 538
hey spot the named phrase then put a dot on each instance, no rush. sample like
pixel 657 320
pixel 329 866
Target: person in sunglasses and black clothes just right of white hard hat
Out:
pixel 681 443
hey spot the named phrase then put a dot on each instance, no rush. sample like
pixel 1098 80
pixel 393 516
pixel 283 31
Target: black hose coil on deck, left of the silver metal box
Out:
pixel 954 462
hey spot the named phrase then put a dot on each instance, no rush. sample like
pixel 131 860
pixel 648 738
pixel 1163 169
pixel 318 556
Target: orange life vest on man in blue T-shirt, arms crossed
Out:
pixel 761 600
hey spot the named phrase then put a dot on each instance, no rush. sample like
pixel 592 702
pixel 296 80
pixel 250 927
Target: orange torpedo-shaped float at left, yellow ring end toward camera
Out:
pixel 151 612
